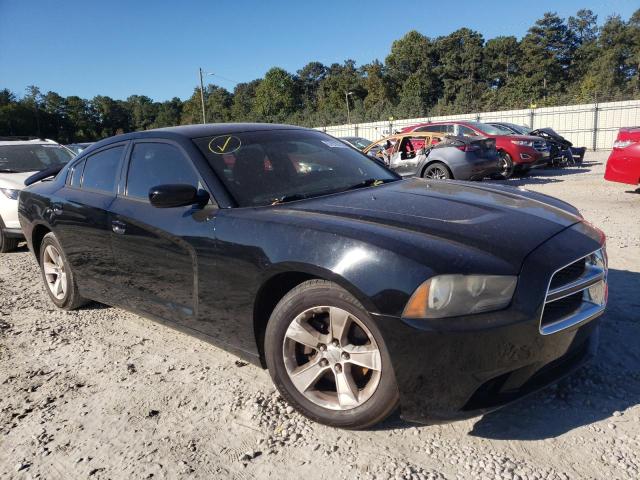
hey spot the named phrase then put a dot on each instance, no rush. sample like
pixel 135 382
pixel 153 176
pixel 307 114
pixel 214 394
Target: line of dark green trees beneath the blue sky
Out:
pixel 559 61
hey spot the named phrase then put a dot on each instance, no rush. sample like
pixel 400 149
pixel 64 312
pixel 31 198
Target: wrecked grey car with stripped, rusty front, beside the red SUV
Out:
pixel 432 155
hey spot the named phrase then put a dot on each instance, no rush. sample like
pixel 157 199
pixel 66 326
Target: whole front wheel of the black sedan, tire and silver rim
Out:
pixel 328 359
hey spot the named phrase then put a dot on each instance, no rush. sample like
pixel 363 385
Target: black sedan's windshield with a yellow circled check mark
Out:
pixel 269 167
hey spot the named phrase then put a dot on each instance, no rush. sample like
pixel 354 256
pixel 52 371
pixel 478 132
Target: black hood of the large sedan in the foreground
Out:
pixel 505 222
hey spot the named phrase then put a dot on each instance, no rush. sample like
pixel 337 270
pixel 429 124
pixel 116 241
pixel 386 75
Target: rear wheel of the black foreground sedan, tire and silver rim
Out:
pixel 57 275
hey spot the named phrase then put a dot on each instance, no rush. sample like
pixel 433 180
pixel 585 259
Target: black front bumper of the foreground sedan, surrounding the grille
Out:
pixel 460 367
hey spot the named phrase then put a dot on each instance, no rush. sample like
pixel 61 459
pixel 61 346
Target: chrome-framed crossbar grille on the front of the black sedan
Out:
pixel 577 293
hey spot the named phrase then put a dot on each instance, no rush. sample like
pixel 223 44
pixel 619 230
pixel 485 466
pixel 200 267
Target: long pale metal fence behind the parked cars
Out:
pixel 592 125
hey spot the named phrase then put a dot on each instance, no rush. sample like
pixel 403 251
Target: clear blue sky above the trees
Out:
pixel 120 48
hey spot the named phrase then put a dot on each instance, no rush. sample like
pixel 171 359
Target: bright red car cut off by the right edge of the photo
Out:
pixel 624 162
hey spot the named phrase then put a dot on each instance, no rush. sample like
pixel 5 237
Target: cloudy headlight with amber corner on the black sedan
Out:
pixel 453 295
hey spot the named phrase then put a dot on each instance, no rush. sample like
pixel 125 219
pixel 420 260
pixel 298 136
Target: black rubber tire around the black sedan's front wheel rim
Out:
pixel 316 293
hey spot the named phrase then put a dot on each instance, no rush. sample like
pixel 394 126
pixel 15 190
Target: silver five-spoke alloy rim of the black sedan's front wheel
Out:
pixel 332 358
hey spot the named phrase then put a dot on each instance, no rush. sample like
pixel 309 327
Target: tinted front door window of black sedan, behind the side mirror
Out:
pixel 153 164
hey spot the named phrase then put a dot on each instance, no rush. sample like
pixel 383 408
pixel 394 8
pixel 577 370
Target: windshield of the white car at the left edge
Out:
pixel 31 158
